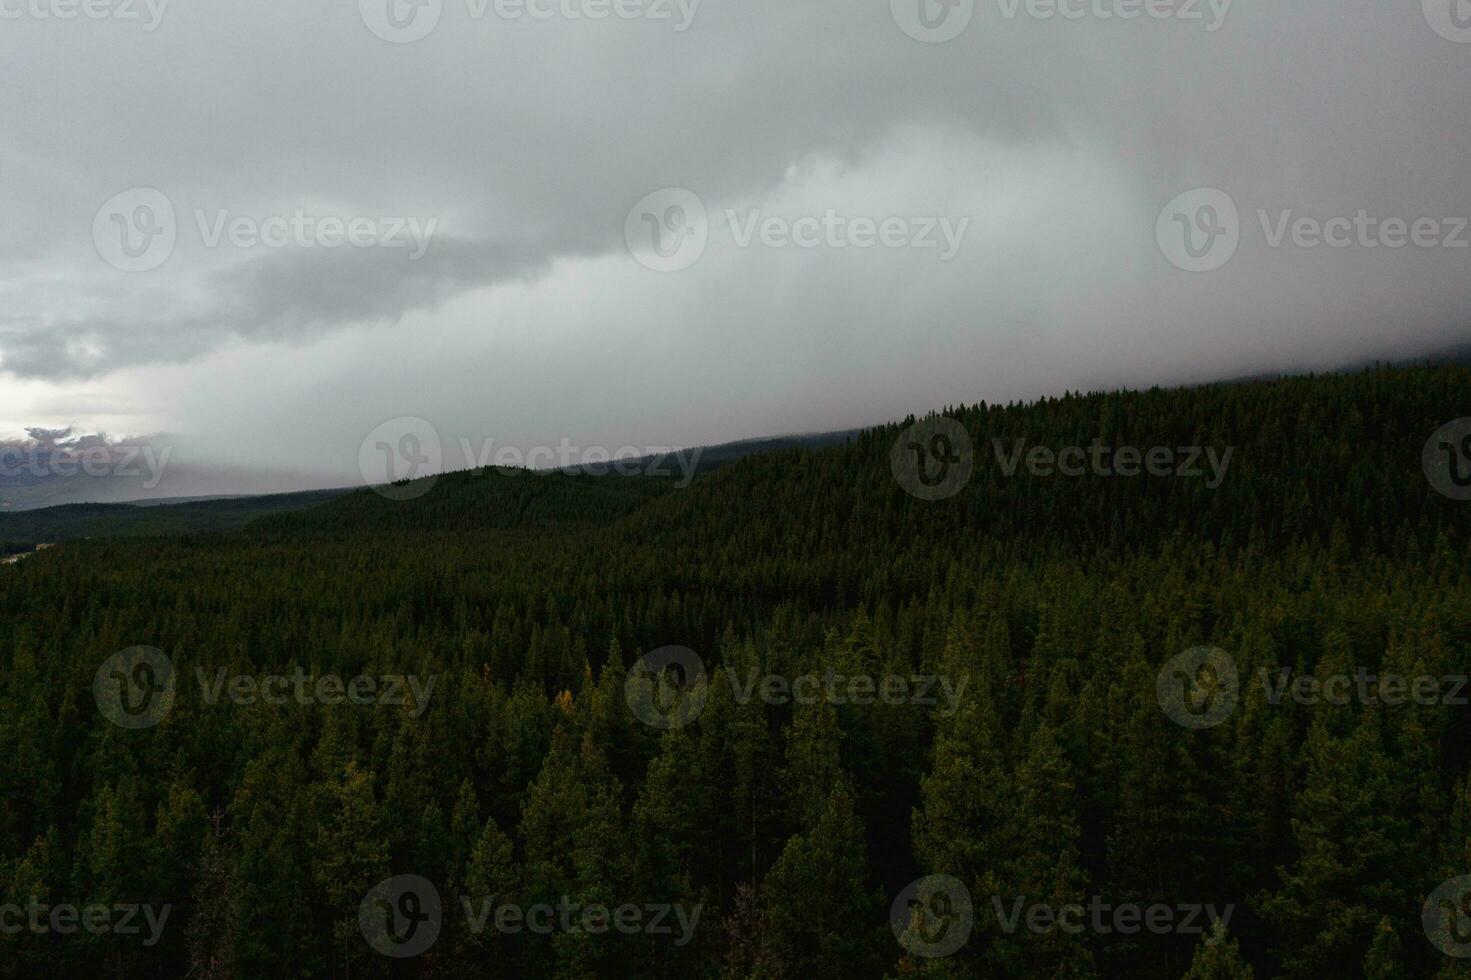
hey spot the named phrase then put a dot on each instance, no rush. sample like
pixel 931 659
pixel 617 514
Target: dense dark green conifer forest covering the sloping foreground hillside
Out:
pixel 1005 716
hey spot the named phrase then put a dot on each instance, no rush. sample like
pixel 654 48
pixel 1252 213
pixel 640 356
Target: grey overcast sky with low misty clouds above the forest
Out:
pixel 466 223
